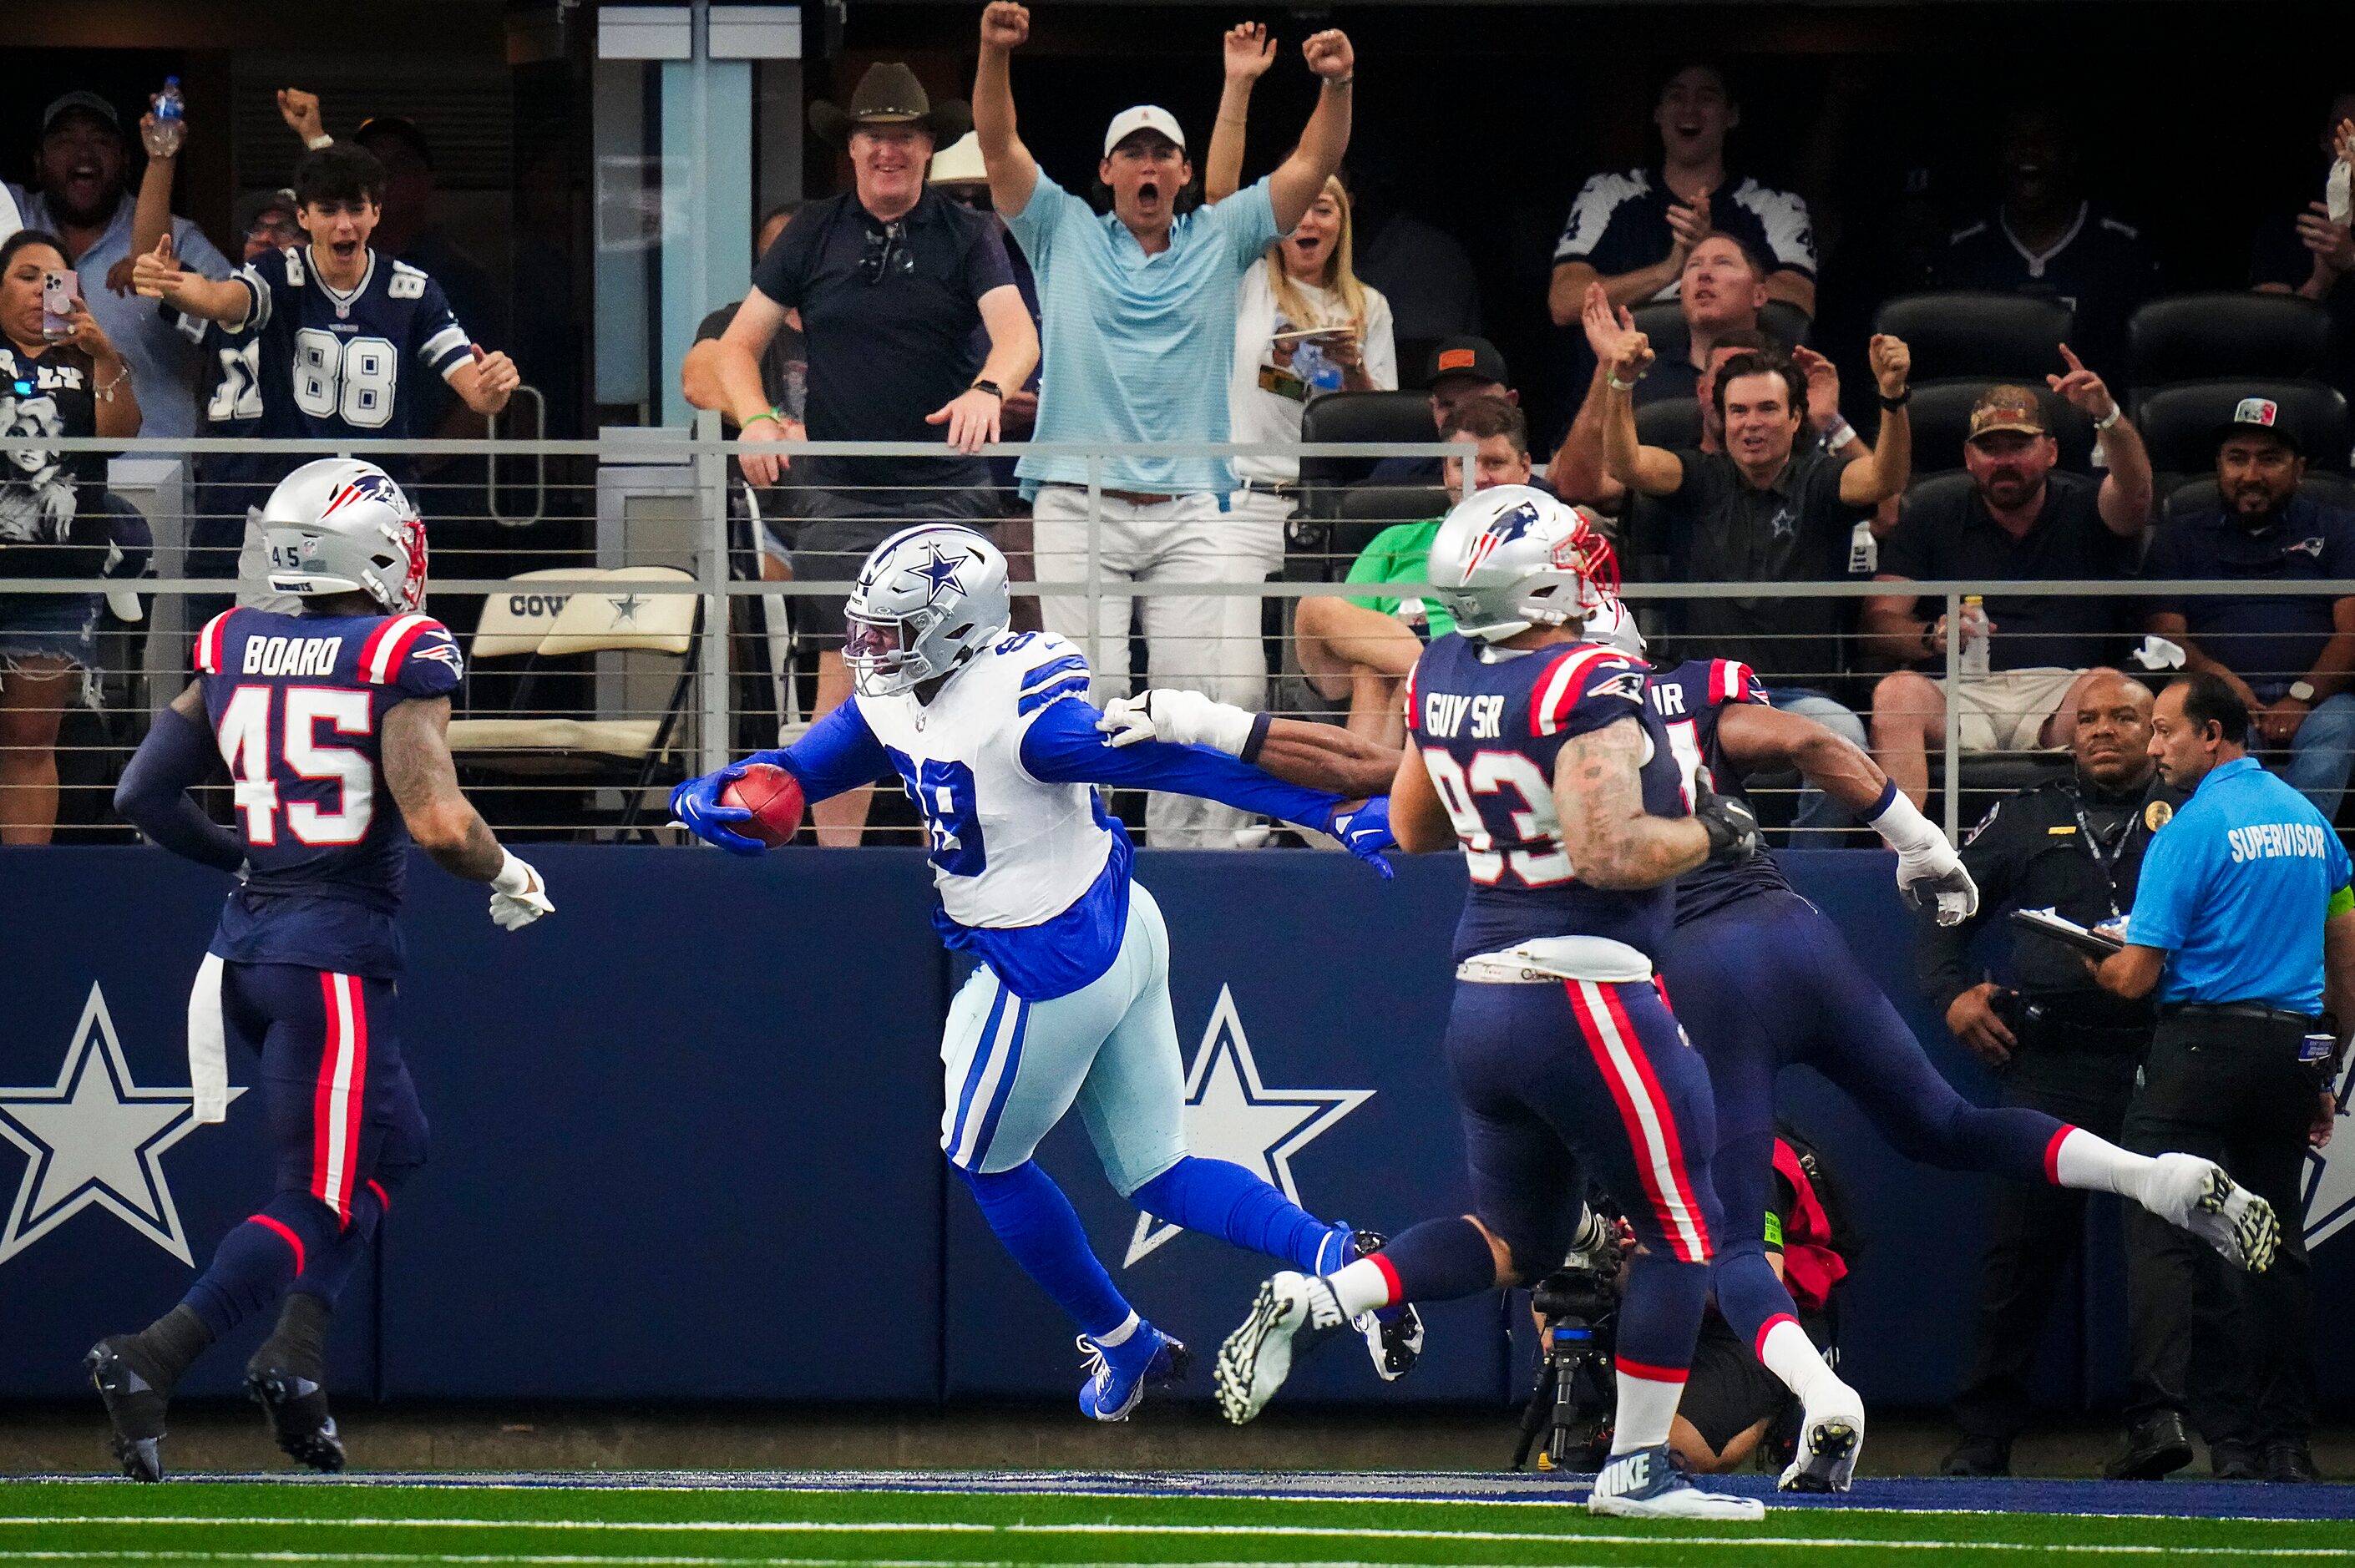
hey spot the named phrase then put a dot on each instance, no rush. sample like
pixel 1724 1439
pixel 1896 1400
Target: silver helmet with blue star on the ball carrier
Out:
pixel 929 599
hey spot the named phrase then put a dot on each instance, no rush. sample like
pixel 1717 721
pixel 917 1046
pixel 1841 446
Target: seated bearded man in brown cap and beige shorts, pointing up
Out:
pixel 2019 521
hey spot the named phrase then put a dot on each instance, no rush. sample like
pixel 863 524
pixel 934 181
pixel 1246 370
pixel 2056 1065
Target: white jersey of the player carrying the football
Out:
pixel 1007 849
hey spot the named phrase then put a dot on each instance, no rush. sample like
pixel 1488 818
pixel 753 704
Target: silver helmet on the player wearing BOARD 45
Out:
pixel 343 526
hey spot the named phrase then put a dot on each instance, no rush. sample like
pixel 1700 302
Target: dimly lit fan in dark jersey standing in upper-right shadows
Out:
pixel 2050 241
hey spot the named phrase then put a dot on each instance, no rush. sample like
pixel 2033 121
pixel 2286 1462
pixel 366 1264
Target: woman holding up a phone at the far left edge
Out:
pixel 60 378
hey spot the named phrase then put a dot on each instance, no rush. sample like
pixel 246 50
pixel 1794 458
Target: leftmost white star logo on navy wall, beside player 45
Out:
pixel 95 1138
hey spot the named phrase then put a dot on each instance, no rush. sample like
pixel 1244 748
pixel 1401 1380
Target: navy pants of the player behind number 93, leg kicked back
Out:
pixel 1767 983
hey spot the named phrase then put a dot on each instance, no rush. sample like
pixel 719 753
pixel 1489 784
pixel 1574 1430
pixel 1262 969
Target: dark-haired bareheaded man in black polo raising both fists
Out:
pixel 1763 512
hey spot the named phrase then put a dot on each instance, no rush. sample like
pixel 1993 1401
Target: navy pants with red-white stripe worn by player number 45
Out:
pixel 345 1122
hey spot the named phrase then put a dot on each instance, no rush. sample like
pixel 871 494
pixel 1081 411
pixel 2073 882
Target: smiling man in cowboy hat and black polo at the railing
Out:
pixel 891 281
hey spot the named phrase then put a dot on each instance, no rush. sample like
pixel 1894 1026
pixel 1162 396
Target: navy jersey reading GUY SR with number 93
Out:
pixel 1490 733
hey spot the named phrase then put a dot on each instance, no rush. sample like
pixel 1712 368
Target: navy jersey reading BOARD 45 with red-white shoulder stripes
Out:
pixel 298 707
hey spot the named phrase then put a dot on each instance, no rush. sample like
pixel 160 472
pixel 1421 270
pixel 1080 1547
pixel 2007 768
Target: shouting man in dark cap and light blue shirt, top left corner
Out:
pixel 84 201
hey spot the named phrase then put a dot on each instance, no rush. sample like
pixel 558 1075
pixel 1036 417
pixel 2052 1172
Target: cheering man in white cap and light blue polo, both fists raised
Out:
pixel 1139 326
